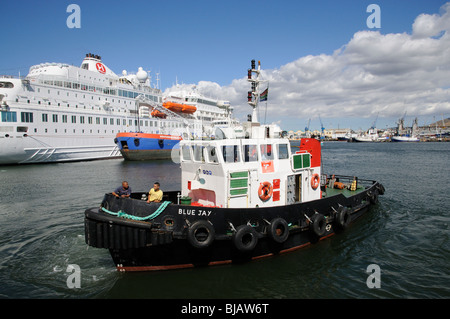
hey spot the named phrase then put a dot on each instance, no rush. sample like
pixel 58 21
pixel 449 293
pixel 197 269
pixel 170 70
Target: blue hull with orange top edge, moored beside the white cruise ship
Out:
pixel 142 146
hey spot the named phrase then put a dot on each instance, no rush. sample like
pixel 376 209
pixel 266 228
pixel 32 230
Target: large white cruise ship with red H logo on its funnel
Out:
pixel 60 112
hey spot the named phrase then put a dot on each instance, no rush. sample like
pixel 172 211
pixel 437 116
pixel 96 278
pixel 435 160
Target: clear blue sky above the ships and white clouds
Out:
pixel 197 41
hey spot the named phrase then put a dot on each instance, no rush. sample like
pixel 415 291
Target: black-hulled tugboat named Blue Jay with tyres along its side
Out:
pixel 243 197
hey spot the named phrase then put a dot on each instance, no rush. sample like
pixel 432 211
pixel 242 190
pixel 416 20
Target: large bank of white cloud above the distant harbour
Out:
pixel 373 73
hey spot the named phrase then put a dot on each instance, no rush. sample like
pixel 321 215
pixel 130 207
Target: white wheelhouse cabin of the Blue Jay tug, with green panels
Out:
pixel 254 172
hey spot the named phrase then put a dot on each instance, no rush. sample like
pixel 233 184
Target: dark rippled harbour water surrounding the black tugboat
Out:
pixel 406 234
